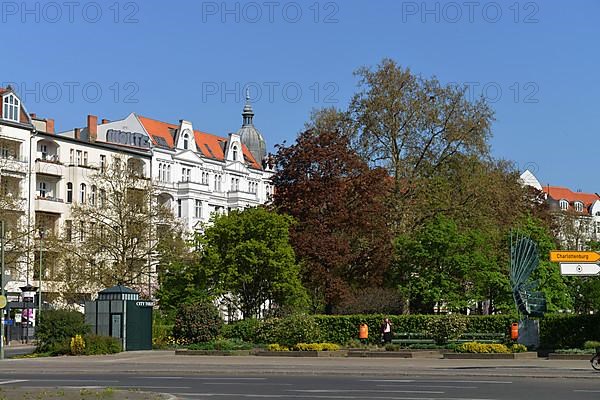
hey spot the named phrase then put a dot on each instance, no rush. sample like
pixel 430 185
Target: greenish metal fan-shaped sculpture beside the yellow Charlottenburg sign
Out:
pixel 524 259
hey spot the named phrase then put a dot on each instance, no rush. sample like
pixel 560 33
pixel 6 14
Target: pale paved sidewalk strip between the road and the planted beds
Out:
pixel 166 362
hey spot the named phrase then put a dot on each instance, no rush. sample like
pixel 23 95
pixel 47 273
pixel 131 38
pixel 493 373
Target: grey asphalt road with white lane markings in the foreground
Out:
pixel 322 387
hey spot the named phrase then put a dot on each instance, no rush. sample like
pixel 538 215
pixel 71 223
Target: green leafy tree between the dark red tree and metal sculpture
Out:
pixel 445 266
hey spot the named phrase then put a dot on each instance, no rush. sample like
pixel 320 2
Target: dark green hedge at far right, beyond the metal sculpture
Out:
pixel 567 331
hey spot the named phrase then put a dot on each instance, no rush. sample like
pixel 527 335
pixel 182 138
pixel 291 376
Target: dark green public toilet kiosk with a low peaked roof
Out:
pixel 119 312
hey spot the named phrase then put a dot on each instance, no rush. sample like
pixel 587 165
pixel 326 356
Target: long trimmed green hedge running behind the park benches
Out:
pixel 342 329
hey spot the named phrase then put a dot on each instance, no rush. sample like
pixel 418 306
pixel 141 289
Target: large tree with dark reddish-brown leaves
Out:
pixel 341 235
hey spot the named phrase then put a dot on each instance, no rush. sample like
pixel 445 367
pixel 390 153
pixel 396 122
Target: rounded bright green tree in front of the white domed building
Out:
pixel 248 255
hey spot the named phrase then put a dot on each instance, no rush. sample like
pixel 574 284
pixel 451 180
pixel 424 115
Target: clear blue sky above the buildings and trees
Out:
pixel 537 62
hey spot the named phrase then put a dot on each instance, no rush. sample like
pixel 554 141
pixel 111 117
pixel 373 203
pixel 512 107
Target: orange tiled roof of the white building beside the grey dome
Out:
pixel 209 145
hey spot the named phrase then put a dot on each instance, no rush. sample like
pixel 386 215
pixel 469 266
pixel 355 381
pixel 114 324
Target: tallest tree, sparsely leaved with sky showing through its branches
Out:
pixel 414 127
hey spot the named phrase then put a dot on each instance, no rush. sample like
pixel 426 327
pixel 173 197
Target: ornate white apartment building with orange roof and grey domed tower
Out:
pixel 197 173
